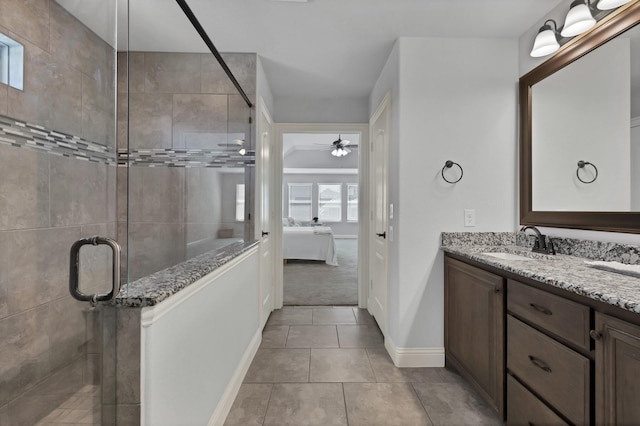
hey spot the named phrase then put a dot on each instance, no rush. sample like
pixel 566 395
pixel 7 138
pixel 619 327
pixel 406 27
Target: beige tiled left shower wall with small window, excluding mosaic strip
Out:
pixel 46 203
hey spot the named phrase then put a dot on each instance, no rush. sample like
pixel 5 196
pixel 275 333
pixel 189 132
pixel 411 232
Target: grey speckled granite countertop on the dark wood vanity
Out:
pixel 562 271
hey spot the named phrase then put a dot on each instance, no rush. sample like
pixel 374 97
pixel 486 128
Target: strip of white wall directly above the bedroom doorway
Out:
pixel 328 110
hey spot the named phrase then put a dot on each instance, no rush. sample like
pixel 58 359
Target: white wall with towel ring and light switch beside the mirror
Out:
pixel 457 100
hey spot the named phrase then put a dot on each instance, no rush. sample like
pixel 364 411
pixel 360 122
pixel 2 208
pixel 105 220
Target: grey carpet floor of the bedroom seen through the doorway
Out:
pixel 314 283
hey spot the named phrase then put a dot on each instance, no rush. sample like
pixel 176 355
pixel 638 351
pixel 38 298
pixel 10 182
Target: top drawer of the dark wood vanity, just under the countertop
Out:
pixel 566 319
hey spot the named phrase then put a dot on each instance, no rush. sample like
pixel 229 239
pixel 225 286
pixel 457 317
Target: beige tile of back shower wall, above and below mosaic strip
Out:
pixel 177 100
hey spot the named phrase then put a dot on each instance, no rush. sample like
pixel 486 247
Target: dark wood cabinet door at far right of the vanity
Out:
pixel 617 371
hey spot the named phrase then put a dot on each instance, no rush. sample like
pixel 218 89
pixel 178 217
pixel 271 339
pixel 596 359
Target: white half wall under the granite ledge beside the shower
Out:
pixel 195 325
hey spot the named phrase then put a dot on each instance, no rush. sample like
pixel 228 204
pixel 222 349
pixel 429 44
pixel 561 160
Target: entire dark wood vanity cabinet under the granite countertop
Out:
pixel 536 356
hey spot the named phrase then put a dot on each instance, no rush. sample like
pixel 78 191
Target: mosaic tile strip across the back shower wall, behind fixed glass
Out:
pixel 188 158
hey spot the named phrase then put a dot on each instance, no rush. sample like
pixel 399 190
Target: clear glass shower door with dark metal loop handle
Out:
pixel 57 184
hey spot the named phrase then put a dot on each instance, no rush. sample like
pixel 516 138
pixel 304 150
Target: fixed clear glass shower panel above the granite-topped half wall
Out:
pixel 190 152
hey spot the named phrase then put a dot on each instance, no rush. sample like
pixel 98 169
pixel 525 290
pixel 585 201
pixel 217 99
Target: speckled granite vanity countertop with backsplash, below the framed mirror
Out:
pixel 562 271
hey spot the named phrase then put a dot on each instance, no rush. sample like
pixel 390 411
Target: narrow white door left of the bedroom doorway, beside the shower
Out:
pixel 266 214
